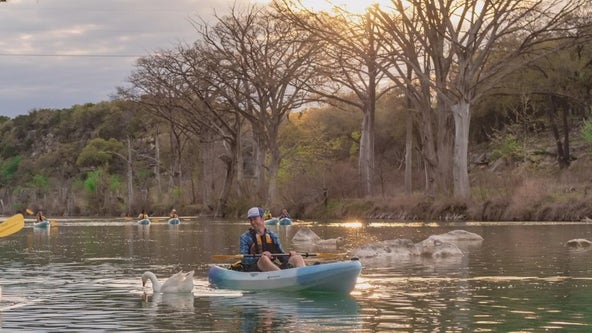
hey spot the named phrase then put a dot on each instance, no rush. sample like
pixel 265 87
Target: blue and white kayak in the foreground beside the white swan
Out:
pixel 336 277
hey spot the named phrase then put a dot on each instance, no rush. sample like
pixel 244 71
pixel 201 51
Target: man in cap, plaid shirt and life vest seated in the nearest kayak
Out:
pixel 259 240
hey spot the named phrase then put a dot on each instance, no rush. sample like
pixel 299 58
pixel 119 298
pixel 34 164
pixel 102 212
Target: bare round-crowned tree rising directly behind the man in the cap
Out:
pixel 270 64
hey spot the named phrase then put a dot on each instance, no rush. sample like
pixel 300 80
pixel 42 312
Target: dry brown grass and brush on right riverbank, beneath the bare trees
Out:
pixel 534 189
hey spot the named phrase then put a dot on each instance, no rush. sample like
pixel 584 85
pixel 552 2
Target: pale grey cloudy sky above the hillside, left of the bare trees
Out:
pixel 58 53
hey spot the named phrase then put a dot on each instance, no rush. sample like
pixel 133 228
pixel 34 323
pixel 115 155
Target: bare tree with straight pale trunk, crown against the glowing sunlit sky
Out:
pixel 350 66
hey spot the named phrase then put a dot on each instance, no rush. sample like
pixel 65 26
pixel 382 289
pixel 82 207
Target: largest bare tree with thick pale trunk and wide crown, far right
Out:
pixel 464 42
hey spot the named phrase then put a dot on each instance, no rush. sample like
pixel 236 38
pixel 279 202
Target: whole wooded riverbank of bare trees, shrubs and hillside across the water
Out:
pixel 391 114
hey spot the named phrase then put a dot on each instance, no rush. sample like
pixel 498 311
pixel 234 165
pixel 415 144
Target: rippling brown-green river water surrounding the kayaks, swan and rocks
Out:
pixel 84 275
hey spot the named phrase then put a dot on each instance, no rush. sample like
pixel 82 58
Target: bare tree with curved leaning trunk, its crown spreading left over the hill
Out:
pixel 174 85
